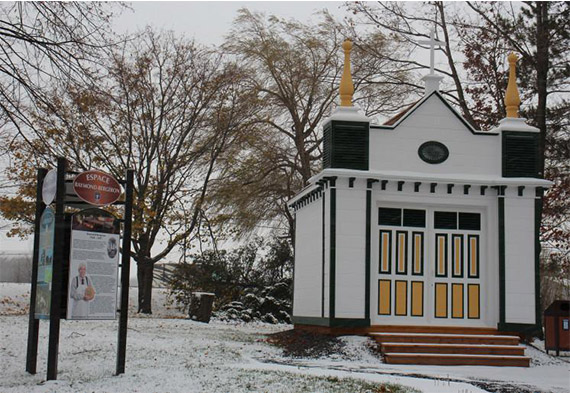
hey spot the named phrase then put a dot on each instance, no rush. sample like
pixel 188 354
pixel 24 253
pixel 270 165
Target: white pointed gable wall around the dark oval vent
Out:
pixel 469 154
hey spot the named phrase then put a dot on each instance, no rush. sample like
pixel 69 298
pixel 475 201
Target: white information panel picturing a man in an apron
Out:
pixel 93 266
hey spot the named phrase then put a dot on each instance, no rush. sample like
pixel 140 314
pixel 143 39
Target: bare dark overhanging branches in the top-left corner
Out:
pixel 44 41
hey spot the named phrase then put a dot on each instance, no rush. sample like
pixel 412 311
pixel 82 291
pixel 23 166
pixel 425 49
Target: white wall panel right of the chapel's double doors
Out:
pixel 519 260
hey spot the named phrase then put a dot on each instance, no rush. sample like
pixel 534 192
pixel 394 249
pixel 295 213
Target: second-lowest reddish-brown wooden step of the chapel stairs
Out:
pixel 467 349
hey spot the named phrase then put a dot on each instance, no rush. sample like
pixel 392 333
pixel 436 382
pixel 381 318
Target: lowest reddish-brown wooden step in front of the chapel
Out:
pixel 456 359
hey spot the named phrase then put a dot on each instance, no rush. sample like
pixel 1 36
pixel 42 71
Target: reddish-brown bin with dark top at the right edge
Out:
pixel 556 326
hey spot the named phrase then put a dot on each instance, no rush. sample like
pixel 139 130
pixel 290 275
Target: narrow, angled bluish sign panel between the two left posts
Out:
pixel 45 264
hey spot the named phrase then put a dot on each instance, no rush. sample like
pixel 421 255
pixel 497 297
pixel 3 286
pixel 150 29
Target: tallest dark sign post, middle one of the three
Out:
pixel 57 275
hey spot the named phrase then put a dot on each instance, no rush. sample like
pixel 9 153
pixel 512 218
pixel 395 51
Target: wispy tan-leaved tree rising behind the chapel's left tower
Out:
pixel 294 69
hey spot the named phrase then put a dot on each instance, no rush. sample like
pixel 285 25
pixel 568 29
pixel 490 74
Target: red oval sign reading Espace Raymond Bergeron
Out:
pixel 97 188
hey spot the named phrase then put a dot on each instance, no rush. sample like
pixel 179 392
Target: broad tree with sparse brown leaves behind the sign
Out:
pixel 167 108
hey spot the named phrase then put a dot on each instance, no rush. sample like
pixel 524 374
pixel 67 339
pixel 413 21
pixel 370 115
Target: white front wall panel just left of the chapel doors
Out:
pixel 350 249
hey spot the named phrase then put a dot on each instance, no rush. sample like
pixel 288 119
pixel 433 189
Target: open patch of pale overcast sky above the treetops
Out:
pixel 209 21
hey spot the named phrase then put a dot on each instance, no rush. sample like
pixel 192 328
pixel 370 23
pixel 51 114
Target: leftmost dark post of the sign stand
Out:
pixel 34 324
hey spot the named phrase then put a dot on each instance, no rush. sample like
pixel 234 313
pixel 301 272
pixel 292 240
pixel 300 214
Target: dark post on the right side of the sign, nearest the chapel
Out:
pixel 125 274
